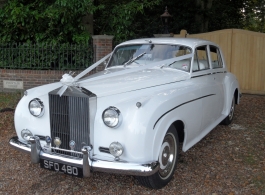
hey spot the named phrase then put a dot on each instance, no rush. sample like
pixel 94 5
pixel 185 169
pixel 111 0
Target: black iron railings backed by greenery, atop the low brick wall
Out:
pixel 46 56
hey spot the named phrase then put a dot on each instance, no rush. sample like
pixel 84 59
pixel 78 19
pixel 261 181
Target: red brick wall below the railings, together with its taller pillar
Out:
pixel 33 78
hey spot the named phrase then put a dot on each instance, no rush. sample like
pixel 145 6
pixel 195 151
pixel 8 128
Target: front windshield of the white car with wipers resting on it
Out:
pixel 143 54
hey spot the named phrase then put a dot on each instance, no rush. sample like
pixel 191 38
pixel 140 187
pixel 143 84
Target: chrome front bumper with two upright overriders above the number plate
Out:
pixel 88 164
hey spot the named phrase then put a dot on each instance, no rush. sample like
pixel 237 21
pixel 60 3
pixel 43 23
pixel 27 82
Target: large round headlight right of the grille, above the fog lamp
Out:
pixel 111 117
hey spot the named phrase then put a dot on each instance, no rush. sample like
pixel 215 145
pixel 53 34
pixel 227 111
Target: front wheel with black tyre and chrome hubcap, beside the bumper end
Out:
pixel 167 158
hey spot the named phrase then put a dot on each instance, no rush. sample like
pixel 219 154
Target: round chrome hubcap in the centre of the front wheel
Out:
pixel 167 156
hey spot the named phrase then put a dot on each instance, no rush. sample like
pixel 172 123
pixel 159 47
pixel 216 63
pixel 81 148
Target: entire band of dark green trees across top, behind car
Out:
pixel 61 20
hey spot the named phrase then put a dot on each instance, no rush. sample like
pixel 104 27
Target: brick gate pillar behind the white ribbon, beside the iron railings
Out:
pixel 102 46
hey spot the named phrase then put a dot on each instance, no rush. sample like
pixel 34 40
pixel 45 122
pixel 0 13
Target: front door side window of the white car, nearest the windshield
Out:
pixel 200 59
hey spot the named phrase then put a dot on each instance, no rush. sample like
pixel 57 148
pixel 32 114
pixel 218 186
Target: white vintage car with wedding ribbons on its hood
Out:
pixel 130 117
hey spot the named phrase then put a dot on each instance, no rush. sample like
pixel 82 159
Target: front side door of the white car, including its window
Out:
pixel 211 91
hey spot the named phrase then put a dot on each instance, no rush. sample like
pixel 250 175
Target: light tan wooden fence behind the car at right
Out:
pixel 244 53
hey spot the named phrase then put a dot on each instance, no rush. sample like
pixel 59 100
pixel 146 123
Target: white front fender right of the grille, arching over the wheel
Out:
pixel 143 129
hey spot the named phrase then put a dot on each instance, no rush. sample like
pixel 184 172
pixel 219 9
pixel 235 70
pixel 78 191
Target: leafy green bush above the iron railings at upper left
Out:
pixel 54 21
